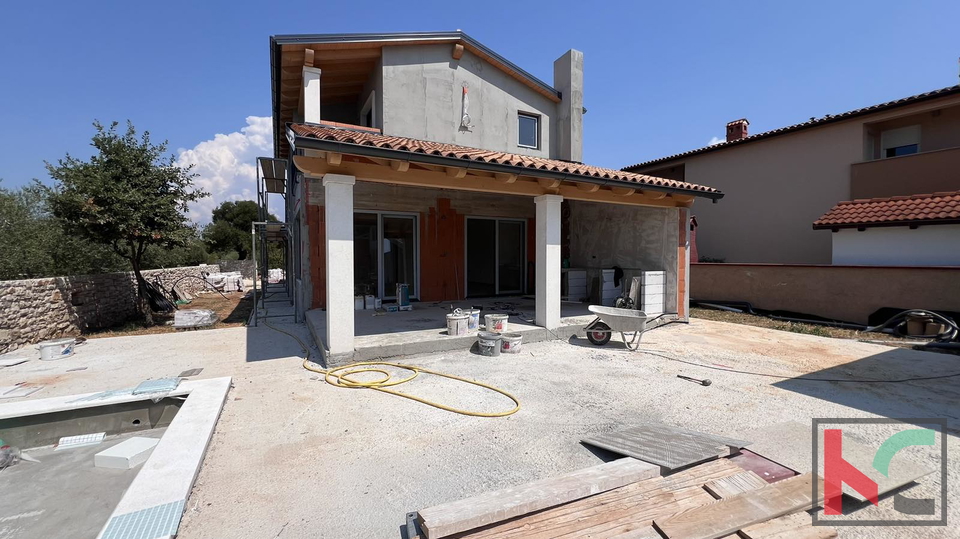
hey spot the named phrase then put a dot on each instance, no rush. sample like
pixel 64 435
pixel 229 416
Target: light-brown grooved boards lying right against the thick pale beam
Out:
pixel 625 505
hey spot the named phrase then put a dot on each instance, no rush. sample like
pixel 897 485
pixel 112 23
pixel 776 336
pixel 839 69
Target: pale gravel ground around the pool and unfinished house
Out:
pixel 295 457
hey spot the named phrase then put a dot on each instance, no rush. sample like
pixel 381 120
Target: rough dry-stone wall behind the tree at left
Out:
pixel 34 310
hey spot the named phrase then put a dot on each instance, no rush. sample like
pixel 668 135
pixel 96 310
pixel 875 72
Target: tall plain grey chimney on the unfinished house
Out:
pixel 568 80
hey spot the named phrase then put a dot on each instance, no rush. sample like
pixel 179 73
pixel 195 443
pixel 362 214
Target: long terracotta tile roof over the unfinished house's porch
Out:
pixel 323 132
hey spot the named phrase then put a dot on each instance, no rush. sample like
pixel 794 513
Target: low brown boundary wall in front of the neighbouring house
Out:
pixel 844 293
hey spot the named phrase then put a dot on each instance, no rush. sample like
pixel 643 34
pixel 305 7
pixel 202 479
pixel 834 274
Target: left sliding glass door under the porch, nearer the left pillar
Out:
pixel 385 253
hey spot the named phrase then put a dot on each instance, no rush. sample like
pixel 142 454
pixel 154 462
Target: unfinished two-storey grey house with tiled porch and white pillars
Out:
pixel 428 159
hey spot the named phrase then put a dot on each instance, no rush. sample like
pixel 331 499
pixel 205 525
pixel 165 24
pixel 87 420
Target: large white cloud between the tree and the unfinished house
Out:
pixel 226 166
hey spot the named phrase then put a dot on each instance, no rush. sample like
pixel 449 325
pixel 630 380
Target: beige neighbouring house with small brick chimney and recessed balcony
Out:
pixel 778 182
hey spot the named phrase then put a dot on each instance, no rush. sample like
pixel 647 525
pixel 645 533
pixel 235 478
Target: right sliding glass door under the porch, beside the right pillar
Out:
pixel 495 256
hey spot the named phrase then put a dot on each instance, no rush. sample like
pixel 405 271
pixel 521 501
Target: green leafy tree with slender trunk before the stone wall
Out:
pixel 129 196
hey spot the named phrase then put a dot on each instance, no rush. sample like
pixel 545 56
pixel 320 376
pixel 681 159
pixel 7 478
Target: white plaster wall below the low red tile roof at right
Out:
pixel 931 245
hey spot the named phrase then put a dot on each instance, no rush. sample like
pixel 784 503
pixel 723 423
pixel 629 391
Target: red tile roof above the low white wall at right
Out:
pixel 899 210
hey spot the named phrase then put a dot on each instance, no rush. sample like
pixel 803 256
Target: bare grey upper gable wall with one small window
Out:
pixel 422 89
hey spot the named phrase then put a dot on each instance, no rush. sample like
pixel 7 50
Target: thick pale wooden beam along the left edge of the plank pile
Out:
pixel 450 518
